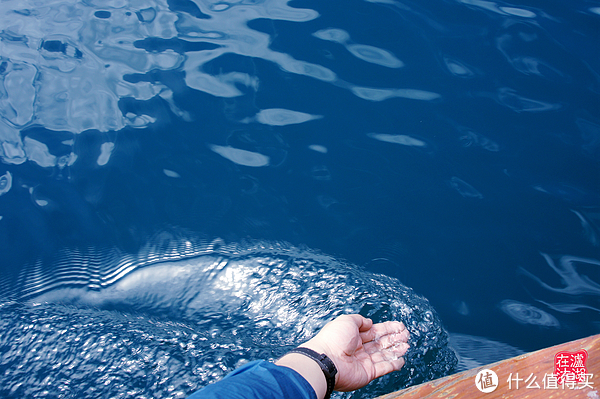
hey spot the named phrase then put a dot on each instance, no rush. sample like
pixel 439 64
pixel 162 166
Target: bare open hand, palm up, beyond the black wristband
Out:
pixel 361 350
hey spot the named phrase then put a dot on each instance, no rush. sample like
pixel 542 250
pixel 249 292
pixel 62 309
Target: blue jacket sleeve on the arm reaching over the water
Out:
pixel 258 380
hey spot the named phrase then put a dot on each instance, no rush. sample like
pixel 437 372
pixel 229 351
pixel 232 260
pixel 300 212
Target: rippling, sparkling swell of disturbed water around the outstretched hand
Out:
pixel 183 314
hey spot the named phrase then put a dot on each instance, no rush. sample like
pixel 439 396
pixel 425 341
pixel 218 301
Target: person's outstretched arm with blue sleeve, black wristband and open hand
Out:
pixel 355 352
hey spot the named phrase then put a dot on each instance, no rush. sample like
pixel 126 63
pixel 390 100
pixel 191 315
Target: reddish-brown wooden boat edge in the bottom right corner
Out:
pixel 539 363
